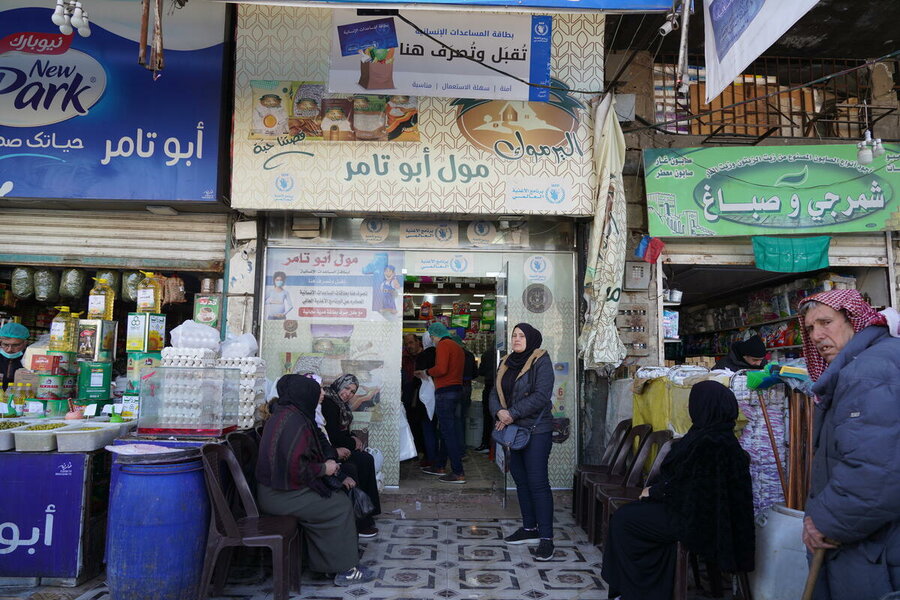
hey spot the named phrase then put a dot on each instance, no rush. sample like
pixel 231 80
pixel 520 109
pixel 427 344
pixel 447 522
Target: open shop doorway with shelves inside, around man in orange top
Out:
pixel 475 309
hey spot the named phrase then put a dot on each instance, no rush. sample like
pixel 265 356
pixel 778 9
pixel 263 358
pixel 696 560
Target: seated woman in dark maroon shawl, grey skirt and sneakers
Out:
pixel 290 473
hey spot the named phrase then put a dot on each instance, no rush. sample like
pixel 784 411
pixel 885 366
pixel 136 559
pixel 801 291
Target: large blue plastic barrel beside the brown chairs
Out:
pixel 156 537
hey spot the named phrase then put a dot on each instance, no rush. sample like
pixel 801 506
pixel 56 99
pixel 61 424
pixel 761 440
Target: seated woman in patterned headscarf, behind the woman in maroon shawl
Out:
pixel 338 420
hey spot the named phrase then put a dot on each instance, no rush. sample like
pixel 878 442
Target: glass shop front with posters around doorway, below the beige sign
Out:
pixel 342 306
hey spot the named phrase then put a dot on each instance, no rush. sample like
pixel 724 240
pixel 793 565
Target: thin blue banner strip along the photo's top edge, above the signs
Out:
pixel 614 6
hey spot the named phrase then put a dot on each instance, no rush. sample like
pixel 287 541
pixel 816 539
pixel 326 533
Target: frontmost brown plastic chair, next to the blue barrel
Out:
pixel 227 531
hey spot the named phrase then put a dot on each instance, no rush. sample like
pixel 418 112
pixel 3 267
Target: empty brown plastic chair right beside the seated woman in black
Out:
pixel 633 485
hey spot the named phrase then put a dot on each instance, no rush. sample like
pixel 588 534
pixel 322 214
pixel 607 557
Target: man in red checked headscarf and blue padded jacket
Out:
pixel 853 509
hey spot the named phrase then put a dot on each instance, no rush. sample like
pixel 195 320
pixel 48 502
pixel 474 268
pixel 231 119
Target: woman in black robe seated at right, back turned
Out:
pixel 702 498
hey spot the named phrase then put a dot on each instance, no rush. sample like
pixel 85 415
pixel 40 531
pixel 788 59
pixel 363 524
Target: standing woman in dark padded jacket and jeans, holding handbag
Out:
pixel 522 395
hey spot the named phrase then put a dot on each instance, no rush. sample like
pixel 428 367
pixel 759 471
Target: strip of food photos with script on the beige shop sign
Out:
pixel 296 111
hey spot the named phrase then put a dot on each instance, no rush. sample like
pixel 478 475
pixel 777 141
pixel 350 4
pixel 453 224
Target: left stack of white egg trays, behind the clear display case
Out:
pixel 184 389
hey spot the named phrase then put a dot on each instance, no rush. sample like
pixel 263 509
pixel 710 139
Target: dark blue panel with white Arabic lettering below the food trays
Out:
pixel 41 512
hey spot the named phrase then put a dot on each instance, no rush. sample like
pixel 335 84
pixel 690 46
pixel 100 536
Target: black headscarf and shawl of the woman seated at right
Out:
pixel 705 482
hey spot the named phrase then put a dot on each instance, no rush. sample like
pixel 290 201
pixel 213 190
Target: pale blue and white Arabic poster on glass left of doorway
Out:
pixel 333 284
